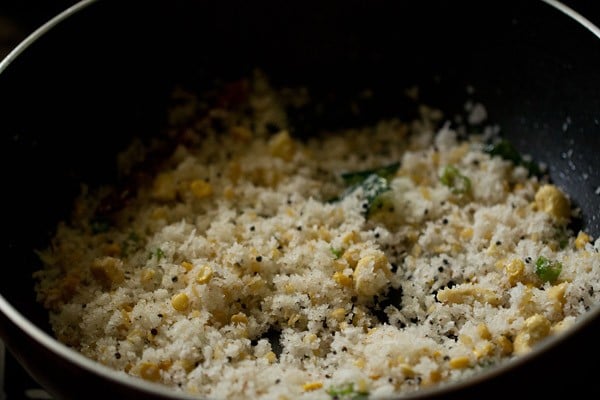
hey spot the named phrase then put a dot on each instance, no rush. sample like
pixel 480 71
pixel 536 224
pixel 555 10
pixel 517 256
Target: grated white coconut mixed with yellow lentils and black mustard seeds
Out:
pixel 368 262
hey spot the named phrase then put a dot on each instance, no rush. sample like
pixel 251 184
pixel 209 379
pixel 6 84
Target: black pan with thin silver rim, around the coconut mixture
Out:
pixel 77 91
